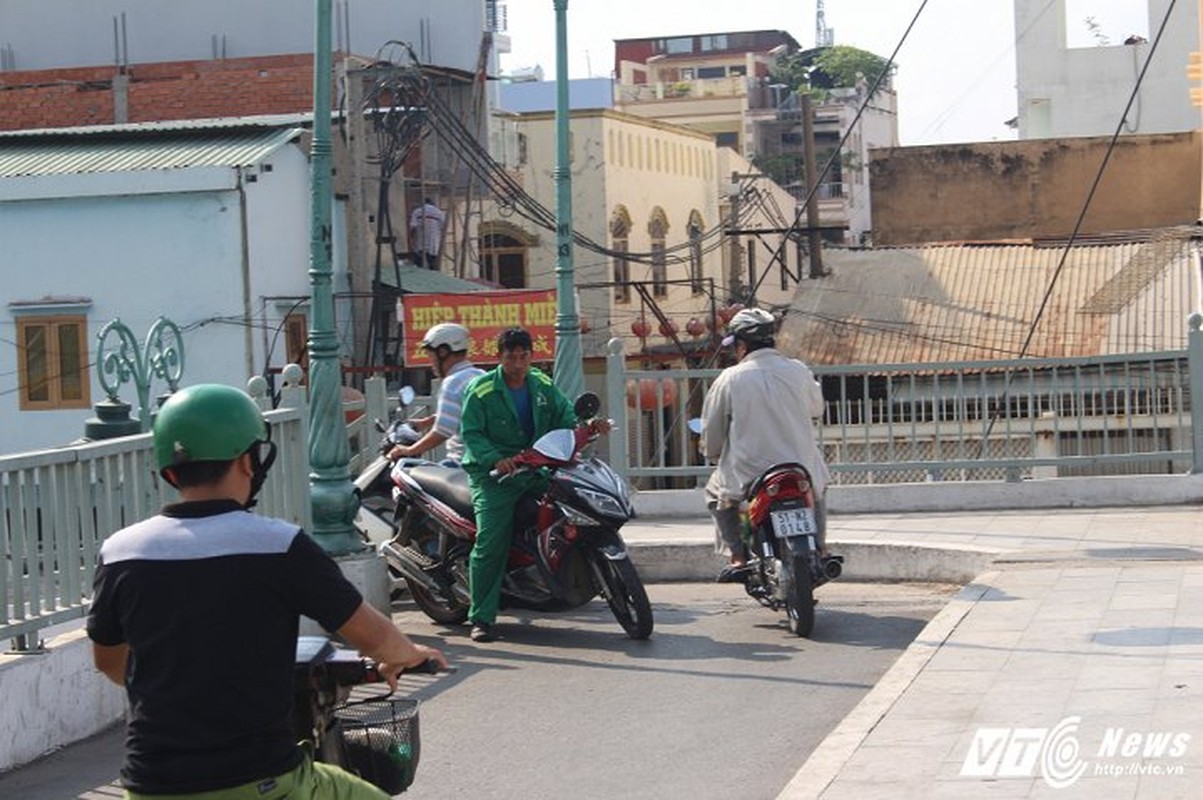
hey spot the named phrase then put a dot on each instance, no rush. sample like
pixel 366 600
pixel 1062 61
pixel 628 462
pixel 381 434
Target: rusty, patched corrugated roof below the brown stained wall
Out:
pixel 979 303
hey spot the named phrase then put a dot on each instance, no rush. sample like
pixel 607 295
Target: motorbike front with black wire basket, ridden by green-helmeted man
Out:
pixel 376 738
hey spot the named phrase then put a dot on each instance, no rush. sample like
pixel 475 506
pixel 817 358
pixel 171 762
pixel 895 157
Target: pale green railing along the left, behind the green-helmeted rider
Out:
pixel 58 506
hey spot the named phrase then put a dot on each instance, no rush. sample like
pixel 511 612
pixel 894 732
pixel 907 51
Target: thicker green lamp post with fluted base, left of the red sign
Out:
pixel 331 493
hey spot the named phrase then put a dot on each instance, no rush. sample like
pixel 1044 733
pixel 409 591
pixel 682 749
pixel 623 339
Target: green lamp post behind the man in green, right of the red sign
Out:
pixel 570 375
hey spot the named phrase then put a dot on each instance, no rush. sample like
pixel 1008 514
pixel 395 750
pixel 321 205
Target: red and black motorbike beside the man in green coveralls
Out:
pixel 566 550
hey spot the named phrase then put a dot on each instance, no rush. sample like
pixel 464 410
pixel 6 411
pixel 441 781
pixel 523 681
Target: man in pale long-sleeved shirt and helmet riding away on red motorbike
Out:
pixel 757 414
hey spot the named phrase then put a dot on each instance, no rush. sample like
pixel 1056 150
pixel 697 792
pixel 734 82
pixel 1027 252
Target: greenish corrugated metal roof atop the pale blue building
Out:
pixel 132 149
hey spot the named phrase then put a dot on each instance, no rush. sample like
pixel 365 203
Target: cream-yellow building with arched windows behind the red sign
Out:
pixel 655 209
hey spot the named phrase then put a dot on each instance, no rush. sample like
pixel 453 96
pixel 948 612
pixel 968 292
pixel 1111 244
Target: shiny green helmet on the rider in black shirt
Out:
pixel 208 423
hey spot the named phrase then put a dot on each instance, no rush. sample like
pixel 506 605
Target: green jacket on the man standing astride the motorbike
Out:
pixel 490 425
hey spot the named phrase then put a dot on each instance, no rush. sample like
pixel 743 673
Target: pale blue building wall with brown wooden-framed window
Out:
pixel 205 224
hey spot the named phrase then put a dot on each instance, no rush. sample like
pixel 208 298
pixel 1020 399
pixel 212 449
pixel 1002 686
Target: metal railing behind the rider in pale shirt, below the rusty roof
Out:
pixel 988 420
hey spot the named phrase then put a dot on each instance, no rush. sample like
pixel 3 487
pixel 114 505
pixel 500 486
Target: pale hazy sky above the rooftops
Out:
pixel 956 75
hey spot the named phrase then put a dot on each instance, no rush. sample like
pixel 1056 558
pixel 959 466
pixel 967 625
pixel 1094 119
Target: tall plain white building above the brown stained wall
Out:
pixel 1083 91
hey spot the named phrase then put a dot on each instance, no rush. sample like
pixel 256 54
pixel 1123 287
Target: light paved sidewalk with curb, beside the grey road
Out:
pixel 1071 668
